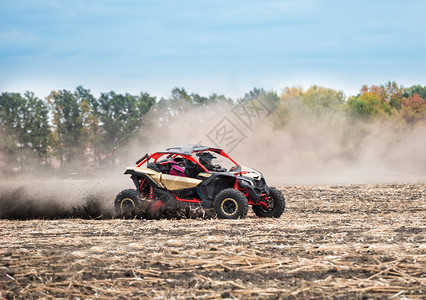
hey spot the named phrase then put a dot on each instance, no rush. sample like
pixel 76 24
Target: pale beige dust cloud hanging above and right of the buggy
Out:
pixel 332 148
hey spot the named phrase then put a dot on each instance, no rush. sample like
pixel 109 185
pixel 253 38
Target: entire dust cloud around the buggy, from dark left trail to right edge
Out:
pixel 309 149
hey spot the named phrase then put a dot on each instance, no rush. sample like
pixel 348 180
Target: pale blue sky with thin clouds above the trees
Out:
pixel 227 47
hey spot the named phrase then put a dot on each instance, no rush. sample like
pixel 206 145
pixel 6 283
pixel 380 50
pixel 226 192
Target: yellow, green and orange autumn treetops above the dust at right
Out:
pixel 388 101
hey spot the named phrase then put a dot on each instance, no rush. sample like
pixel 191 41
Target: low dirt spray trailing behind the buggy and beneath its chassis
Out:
pixel 84 199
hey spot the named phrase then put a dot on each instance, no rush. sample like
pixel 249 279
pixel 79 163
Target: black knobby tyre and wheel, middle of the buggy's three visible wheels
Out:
pixel 230 204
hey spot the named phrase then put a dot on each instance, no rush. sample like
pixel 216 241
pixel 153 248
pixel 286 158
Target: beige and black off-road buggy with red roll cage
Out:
pixel 187 174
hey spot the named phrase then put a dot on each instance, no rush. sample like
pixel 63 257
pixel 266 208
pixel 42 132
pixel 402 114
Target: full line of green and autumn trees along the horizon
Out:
pixel 69 126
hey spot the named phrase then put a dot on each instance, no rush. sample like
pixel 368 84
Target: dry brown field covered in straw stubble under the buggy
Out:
pixel 339 242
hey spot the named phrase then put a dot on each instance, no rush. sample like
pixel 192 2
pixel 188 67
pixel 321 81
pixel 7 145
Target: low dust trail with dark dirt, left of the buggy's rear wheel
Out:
pixel 52 199
